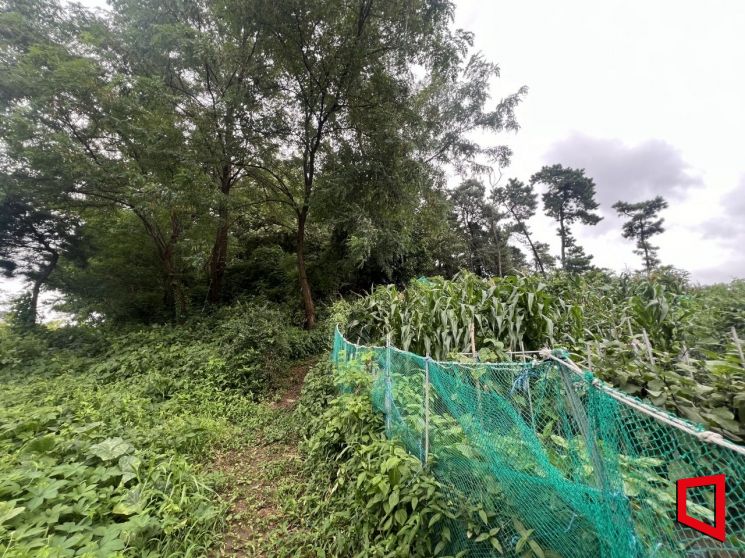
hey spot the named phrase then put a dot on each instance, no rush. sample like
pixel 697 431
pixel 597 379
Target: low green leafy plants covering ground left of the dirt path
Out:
pixel 103 433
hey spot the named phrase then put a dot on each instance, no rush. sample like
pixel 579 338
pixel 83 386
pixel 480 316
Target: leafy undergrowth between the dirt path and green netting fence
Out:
pixel 364 495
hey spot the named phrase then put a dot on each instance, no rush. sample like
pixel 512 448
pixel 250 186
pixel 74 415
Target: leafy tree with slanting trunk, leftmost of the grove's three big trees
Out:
pixel 80 122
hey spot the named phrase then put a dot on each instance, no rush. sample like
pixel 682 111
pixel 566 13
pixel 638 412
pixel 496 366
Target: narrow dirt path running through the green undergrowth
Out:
pixel 257 474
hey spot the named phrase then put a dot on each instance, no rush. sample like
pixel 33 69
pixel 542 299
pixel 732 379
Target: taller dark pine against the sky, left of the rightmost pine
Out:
pixel 570 198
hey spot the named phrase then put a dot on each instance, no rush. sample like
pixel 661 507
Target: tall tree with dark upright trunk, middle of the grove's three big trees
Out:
pixel 210 57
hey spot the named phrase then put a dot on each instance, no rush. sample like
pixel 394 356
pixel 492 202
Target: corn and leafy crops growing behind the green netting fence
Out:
pixel 657 338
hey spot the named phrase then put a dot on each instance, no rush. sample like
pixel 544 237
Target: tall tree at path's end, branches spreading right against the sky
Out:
pixel 339 62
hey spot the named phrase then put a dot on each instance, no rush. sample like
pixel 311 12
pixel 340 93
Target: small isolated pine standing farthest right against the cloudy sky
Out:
pixel 644 222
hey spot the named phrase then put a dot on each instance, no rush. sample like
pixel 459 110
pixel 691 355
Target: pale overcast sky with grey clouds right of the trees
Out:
pixel 648 97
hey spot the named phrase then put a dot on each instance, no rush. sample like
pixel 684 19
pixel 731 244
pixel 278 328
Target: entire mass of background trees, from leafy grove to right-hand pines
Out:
pixel 177 156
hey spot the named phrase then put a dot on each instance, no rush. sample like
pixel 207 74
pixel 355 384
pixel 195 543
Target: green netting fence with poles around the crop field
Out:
pixel 590 470
